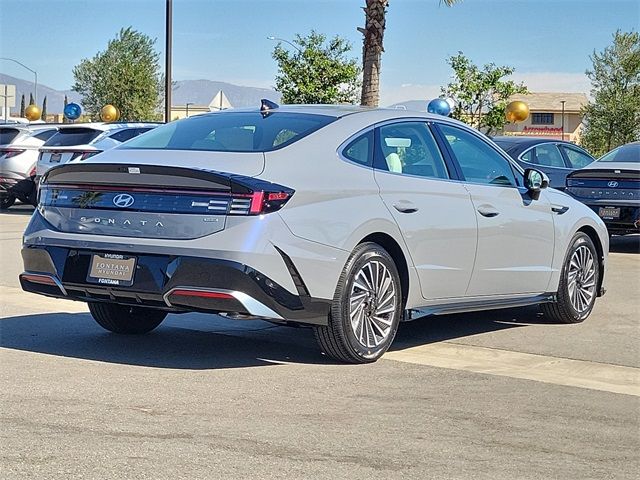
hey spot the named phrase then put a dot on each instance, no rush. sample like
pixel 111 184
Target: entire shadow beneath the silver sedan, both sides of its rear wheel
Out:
pixel 196 341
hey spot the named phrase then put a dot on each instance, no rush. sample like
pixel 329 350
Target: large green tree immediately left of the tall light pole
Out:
pixel 126 75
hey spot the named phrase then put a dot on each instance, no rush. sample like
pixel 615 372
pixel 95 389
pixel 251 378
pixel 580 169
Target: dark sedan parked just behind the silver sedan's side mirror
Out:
pixel 556 158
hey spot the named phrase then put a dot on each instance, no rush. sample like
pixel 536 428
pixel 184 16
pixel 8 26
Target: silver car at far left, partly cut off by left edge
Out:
pixel 19 146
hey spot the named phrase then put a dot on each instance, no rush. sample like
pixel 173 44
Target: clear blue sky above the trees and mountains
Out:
pixel 548 42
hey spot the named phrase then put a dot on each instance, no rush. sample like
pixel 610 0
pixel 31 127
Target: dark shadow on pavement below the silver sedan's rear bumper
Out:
pixel 197 342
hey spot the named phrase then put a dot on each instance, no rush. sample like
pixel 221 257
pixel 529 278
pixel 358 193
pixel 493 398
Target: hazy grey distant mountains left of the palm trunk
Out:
pixel 199 92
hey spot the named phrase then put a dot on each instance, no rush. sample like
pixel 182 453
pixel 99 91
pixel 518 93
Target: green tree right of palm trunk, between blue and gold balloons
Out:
pixel 480 94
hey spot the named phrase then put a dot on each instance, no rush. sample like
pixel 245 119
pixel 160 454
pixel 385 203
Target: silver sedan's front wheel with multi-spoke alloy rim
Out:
pixel 579 282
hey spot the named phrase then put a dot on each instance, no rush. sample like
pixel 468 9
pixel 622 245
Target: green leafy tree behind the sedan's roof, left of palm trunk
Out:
pixel 317 71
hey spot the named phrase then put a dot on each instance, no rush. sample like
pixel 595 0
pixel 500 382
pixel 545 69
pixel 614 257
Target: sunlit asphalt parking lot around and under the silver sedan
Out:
pixel 497 395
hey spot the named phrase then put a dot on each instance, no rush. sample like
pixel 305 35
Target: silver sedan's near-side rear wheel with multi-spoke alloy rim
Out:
pixel 369 292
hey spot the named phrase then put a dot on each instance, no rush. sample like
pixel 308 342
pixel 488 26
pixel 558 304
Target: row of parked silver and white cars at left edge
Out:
pixel 28 151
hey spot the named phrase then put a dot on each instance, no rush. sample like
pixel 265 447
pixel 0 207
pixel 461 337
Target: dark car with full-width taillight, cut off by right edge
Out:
pixel 611 187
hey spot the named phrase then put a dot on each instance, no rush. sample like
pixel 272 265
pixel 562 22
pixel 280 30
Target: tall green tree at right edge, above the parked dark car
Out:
pixel 612 118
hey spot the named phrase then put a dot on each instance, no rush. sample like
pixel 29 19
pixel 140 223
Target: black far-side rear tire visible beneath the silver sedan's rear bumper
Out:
pixel 124 319
